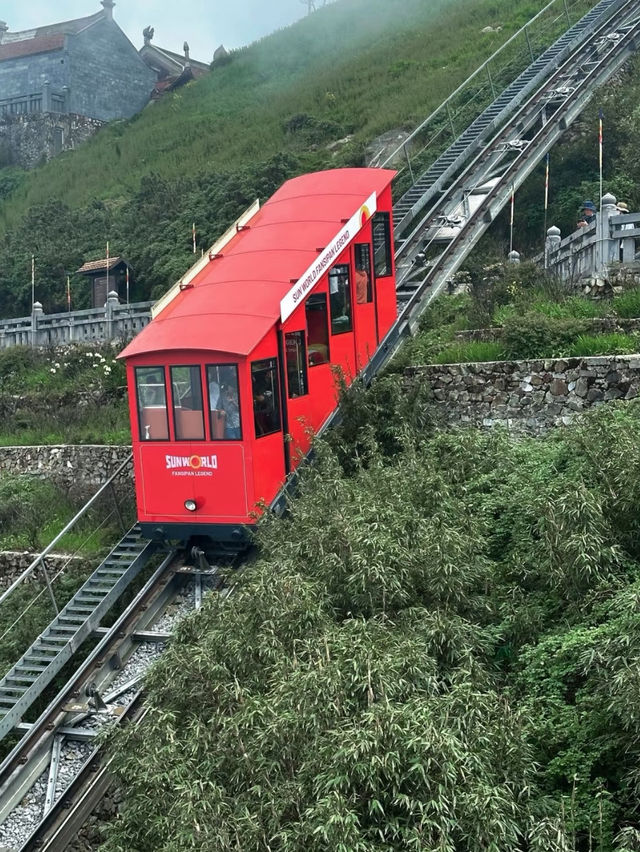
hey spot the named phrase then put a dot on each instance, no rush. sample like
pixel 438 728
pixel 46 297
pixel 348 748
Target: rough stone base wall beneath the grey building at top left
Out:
pixel 34 137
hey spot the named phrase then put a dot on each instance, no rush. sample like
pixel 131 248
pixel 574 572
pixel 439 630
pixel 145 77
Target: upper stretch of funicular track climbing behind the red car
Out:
pixel 507 159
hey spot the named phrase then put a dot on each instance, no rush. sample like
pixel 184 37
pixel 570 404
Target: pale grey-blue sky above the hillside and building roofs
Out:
pixel 203 23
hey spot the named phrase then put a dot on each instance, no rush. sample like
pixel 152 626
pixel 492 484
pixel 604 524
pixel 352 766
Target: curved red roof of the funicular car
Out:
pixel 235 299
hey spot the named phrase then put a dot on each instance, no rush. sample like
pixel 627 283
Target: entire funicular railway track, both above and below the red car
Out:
pixel 56 774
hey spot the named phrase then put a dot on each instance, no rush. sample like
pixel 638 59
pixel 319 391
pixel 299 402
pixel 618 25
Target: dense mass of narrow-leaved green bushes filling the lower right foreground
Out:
pixel 418 659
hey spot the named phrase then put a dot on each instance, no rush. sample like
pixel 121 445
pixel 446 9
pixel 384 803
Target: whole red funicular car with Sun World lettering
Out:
pixel 235 368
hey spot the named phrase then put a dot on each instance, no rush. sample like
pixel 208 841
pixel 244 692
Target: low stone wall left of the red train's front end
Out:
pixel 82 464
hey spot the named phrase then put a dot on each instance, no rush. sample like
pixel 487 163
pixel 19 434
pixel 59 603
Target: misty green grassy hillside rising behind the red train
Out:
pixel 354 69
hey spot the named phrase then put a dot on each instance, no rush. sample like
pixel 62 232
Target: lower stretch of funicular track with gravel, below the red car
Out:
pixel 57 773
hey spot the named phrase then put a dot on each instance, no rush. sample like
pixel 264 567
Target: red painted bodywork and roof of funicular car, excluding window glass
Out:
pixel 231 316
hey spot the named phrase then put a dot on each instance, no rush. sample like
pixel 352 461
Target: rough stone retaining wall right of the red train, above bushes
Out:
pixel 528 395
